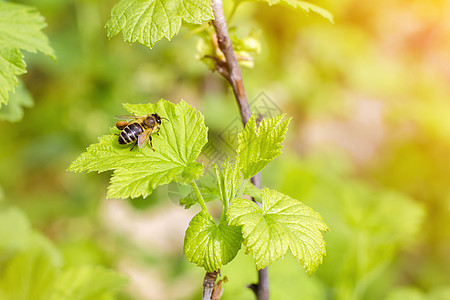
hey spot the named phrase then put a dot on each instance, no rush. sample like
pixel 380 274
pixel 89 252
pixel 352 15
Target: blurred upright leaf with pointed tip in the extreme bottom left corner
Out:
pixel 31 273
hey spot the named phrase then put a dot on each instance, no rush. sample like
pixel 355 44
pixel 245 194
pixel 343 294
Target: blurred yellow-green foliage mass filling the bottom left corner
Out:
pixel 32 267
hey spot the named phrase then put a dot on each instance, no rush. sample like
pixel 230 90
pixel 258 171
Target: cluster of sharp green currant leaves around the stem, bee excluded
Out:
pixel 283 223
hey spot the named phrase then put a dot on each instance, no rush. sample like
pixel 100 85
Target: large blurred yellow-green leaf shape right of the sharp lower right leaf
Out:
pixel 369 226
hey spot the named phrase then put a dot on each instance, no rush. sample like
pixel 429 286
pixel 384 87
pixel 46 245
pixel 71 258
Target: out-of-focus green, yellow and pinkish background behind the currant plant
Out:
pixel 368 145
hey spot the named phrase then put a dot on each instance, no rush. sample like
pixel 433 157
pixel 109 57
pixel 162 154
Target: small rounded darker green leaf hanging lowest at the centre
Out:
pixel 211 246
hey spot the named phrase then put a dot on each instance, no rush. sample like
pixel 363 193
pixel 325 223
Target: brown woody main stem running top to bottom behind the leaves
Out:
pixel 231 71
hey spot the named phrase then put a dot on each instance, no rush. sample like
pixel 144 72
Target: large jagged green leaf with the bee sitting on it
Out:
pixel 138 172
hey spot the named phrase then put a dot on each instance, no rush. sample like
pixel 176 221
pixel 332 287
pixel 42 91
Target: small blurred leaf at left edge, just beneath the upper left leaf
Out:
pixel 13 110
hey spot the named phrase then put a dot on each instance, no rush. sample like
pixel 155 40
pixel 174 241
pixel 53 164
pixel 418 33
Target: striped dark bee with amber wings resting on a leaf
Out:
pixel 138 129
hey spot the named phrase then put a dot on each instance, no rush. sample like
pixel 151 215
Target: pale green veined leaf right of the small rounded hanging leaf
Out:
pixel 283 223
